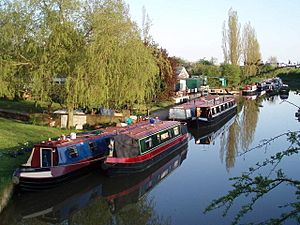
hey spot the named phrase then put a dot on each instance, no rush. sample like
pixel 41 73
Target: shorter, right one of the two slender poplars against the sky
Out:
pixel 251 51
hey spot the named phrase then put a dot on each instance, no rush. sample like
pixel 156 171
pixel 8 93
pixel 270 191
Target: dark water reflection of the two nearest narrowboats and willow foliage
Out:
pixel 95 199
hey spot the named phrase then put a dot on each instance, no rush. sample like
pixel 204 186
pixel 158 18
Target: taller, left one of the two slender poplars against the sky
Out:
pixel 231 42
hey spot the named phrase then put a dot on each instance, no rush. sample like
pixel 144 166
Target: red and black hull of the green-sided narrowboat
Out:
pixel 152 158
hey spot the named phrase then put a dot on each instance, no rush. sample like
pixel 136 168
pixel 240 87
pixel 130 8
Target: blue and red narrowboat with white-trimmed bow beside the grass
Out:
pixel 55 161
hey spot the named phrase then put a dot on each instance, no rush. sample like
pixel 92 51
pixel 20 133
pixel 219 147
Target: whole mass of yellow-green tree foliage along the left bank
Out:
pixel 92 45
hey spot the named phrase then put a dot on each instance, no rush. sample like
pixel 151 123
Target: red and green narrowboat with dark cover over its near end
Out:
pixel 137 149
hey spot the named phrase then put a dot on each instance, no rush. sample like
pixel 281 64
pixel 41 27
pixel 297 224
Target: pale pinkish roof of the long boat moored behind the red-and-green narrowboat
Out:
pixel 207 102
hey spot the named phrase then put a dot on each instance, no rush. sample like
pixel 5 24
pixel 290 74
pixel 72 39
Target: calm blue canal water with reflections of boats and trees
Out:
pixel 178 190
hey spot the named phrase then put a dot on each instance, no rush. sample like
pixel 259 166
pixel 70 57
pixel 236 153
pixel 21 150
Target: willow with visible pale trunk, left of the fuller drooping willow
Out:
pixel 60 51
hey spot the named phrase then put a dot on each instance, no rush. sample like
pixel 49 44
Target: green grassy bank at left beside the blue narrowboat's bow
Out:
pixel 14 138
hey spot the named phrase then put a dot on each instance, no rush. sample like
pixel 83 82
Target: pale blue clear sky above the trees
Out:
pixel 192 29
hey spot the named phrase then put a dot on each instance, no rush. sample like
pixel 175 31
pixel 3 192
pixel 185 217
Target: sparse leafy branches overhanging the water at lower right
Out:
pixel 253 185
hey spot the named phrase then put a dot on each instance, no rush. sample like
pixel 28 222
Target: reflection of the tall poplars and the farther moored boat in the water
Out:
pixel 235 132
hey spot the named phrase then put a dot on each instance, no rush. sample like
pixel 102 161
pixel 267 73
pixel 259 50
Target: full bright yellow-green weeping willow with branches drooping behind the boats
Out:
pixel 121 70
